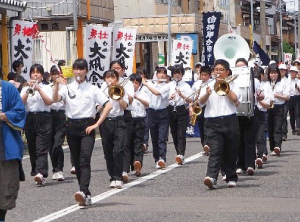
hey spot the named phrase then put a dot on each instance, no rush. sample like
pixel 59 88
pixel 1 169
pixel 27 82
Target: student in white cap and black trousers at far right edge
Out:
pixel 294 102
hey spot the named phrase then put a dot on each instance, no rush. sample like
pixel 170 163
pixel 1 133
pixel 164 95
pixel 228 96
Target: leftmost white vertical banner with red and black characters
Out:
pixel 22 37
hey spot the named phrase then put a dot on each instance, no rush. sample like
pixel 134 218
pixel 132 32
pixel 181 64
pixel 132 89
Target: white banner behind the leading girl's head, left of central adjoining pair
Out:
pixel 98 52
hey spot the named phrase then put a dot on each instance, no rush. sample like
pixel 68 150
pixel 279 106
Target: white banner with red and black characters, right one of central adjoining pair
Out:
pixel 124 46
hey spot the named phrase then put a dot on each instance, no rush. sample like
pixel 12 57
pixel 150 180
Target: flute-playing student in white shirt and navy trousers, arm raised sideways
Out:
pixel 158 116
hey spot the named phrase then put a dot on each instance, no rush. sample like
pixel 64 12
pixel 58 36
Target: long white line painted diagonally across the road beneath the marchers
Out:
pixel 112 192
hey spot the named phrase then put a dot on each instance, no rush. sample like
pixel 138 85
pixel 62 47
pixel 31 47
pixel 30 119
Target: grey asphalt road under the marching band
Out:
pixel 174 194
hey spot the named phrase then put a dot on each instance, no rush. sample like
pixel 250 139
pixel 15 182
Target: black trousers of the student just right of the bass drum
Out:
pixel 260 132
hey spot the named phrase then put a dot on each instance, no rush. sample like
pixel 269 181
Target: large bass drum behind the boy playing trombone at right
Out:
pixel 245 81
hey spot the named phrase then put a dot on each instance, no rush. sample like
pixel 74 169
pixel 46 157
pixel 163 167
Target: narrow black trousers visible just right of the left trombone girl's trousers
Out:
pixel 128 149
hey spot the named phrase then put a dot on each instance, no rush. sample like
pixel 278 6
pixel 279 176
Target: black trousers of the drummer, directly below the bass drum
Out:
pixel 246 151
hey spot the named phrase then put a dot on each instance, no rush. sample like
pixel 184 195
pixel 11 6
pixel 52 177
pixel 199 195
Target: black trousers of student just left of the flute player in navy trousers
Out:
pixel 137 139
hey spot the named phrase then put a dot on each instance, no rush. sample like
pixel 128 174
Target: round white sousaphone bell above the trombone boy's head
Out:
pixel 231 47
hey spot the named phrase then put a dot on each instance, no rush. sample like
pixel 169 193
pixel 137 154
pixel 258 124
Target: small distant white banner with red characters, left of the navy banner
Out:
pixel 182 52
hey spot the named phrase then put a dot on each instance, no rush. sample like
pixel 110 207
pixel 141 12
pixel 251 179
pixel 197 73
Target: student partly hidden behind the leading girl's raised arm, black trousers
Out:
pixel 58 131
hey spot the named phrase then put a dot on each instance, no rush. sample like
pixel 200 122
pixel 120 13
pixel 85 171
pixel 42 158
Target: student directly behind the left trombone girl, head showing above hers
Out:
pixel 120 68
